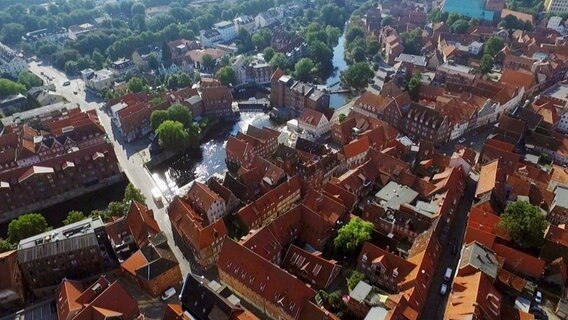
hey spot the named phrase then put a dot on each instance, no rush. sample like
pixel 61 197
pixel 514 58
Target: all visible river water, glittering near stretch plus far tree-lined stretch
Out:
pixel 202 165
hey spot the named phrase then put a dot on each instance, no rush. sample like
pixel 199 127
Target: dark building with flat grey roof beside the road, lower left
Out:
pixel 76 251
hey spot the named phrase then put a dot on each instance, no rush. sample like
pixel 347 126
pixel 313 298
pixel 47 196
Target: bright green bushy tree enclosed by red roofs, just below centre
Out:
pixel 352 235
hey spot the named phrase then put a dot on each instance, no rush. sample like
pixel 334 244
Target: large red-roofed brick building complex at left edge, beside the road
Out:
pixel 52 154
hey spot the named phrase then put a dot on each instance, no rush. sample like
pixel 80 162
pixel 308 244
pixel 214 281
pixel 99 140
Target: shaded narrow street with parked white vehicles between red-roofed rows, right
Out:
pixel 436 303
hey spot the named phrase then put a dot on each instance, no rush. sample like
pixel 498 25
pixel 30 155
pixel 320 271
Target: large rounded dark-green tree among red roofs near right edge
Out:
pixel 524 223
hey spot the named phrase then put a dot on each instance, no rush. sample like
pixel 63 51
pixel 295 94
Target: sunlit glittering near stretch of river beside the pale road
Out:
pixel 202 165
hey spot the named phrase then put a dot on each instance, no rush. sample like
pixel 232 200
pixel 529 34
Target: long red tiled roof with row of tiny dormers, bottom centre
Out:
pixel 263 278
